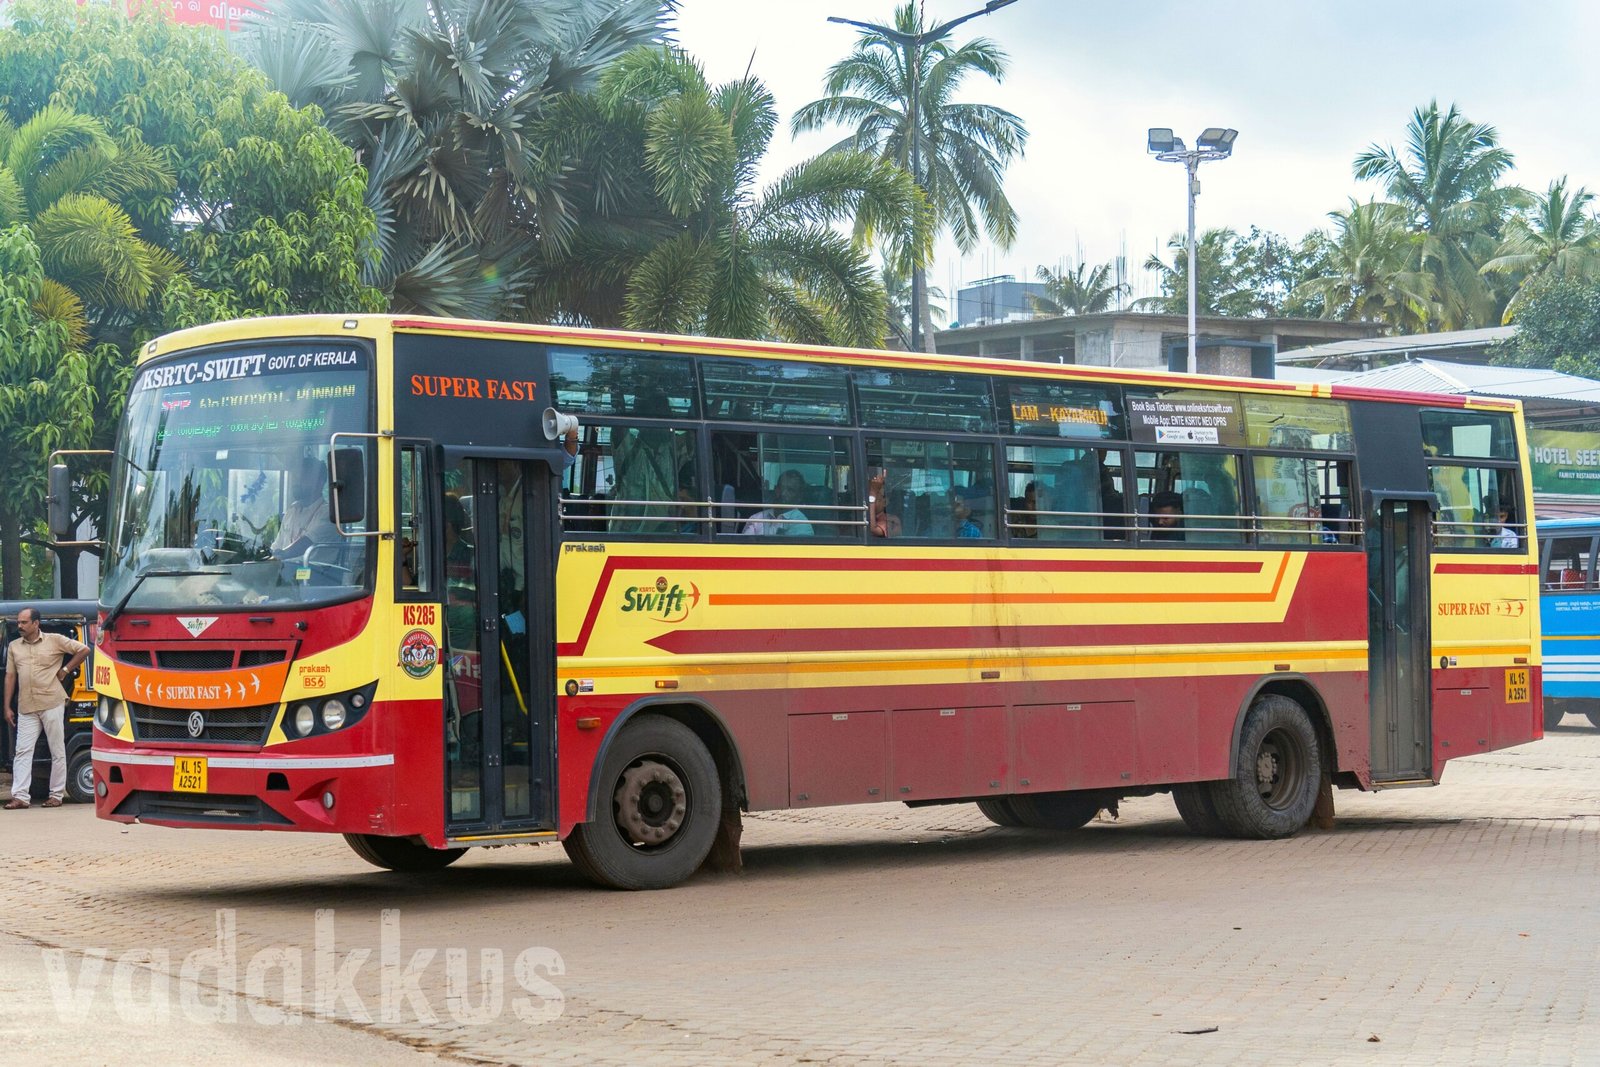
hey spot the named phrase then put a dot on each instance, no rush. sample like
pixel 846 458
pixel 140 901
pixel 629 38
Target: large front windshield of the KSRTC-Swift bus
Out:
pixel 220 490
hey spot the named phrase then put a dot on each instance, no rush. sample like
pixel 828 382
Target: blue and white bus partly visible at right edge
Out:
pixel 1570 617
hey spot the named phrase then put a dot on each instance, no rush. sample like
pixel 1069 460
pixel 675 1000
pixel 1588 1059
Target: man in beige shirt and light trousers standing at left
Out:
pixel 34 674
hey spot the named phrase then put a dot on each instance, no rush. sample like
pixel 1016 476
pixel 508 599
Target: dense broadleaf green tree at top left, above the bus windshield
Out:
pixel 257 201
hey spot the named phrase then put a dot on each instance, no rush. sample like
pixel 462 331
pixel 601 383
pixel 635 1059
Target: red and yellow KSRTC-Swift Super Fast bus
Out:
pixel 358 583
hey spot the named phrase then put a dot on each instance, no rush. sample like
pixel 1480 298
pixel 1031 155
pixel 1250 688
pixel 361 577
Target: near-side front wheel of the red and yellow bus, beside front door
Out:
pixel 662 804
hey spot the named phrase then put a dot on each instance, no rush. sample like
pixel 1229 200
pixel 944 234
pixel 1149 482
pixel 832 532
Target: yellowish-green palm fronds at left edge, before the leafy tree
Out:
pixel 63 178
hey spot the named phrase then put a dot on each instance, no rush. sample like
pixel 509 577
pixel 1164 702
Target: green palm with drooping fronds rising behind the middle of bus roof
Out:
pixel 742 262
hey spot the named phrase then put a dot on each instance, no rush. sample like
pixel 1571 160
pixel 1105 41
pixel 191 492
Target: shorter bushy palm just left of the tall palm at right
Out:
pixel 1369 271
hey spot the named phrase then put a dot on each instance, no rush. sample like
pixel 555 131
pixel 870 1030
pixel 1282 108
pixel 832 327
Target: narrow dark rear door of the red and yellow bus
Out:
pixel 1399 641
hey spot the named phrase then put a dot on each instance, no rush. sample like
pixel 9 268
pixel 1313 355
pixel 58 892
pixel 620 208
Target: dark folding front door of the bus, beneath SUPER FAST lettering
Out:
pixel 498 621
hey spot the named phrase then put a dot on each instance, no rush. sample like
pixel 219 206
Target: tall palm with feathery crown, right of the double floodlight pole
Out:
pixel 1447 182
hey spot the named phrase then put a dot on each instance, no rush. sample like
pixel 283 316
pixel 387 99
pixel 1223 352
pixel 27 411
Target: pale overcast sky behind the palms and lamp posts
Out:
pixel 1306 84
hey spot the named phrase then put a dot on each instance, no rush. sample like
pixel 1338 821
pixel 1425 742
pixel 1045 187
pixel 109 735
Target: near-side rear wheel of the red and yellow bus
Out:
pixel 1276 777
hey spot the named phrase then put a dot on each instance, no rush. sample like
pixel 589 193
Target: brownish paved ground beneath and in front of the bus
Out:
pixel 1450 925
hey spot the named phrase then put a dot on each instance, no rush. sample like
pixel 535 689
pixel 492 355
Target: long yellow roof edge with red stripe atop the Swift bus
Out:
pixel 377 326
